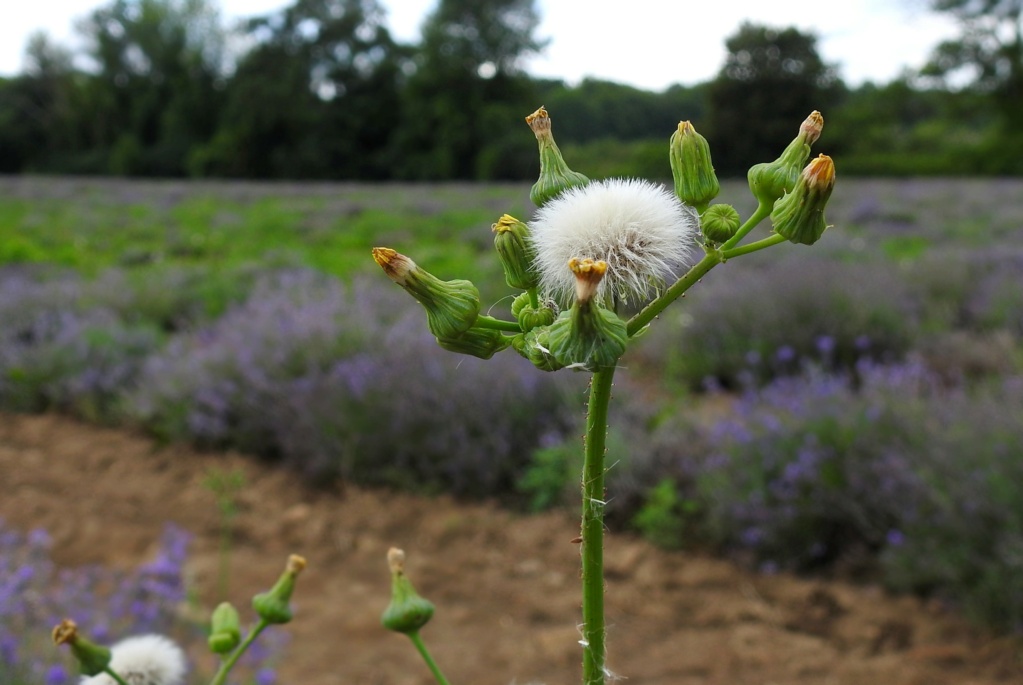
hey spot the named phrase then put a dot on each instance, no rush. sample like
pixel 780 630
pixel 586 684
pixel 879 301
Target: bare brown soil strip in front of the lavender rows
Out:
pixel 506 585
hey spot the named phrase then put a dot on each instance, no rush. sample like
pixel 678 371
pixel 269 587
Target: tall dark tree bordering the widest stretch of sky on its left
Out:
pixel 467 89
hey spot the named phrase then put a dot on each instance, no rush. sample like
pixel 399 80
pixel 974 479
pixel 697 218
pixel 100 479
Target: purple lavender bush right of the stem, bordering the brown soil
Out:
pixel 888 472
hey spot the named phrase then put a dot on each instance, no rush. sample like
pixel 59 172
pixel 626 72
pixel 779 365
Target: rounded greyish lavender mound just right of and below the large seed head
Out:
pixel 770 318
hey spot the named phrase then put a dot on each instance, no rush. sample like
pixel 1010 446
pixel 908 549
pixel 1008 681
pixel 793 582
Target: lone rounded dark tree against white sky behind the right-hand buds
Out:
pixel 771 81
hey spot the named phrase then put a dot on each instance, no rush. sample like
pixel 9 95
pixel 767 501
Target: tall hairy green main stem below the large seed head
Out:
pixel 593 528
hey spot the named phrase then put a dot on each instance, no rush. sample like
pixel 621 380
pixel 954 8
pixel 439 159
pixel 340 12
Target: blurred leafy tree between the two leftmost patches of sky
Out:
pixel 155 94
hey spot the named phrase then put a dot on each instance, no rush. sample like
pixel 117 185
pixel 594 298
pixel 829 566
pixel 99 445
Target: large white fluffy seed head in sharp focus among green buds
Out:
pixel 642 231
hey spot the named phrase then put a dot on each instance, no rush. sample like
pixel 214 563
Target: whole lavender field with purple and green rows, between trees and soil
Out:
pixel 851 409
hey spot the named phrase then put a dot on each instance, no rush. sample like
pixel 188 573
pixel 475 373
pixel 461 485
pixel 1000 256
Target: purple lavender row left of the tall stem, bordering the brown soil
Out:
pixel 333 380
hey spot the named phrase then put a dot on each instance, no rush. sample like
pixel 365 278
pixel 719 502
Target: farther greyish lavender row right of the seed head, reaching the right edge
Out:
pixel 963 310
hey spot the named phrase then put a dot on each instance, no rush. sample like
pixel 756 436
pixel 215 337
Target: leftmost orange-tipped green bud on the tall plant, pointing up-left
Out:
pixel 452 306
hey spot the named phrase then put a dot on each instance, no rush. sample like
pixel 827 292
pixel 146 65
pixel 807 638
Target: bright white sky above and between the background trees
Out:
pixel 647 43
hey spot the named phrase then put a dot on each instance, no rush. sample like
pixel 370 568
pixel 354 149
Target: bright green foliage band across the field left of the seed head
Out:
pixel 204 229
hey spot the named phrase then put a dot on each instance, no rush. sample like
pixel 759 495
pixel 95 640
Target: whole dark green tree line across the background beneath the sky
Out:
pixel 322 90
